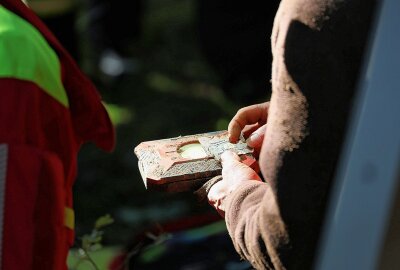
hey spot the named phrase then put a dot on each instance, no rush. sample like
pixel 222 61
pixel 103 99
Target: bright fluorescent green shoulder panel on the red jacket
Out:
pixel 26 55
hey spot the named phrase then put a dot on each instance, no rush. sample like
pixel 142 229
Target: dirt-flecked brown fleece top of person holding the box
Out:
pixel 318 48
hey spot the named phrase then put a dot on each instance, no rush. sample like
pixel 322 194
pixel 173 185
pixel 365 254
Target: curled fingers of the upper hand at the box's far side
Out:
pixel 251 121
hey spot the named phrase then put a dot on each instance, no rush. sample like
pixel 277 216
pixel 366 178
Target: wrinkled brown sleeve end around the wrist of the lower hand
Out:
pixel 255 225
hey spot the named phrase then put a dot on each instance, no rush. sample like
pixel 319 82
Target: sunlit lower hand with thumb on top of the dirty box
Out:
pixel 234 173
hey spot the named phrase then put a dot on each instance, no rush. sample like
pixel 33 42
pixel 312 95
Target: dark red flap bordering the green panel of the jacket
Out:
pixel 89 117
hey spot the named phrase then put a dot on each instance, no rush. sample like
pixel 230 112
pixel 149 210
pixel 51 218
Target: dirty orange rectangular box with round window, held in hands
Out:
pixel 185 163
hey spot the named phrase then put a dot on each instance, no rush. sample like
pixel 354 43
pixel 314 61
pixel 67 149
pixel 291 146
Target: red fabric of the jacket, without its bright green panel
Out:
pixel 43 138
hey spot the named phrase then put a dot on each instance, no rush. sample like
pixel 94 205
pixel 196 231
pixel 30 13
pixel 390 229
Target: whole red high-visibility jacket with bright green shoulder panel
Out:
pixel 48 108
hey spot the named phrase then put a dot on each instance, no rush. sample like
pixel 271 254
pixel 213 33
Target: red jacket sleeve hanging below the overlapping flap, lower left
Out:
pixel 34 233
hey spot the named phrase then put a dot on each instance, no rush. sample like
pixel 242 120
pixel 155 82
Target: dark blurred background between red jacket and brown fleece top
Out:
pixel 164 68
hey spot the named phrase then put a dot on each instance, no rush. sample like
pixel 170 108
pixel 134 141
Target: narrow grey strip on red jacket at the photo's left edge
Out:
pixel 3 175
